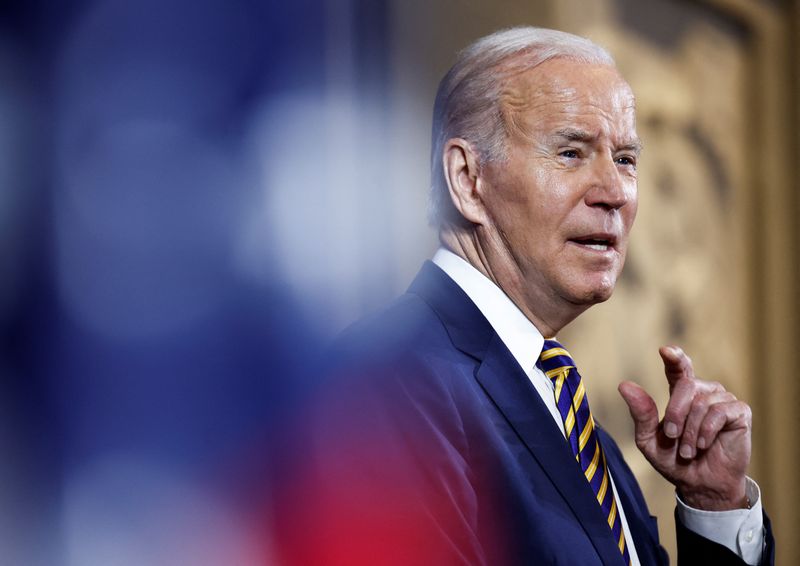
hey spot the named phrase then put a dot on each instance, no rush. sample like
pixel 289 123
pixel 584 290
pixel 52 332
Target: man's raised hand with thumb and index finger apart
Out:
pixel 702 445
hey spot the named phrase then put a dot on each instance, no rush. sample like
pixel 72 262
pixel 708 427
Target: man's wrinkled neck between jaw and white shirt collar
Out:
pixel 548 314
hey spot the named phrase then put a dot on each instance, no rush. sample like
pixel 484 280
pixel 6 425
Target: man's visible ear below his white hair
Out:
pixel 464 181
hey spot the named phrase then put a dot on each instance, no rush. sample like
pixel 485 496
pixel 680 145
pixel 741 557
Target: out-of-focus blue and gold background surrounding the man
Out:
pixel 195 195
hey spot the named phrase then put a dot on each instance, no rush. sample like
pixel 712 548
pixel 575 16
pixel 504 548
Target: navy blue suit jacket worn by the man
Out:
pixel 430 446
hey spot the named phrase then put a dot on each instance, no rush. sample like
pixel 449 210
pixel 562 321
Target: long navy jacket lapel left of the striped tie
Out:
pixel 509 388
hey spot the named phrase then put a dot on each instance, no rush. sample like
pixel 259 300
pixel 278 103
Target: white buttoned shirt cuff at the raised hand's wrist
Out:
pixel 739 530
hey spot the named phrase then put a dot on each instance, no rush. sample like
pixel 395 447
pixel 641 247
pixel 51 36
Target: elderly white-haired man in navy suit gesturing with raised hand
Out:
pixel 456 429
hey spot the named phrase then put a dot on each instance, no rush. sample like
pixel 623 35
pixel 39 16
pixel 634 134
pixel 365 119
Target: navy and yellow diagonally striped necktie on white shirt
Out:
pixel 573 405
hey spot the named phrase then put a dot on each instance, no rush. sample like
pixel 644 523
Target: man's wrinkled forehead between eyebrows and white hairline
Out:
pixel 563 92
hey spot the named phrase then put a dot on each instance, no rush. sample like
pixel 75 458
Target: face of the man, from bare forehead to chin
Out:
pixel 561 205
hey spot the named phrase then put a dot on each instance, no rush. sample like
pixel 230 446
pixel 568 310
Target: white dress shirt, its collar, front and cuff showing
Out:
pixel 740 530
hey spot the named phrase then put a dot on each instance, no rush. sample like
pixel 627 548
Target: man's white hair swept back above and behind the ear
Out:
pixel 468 101
